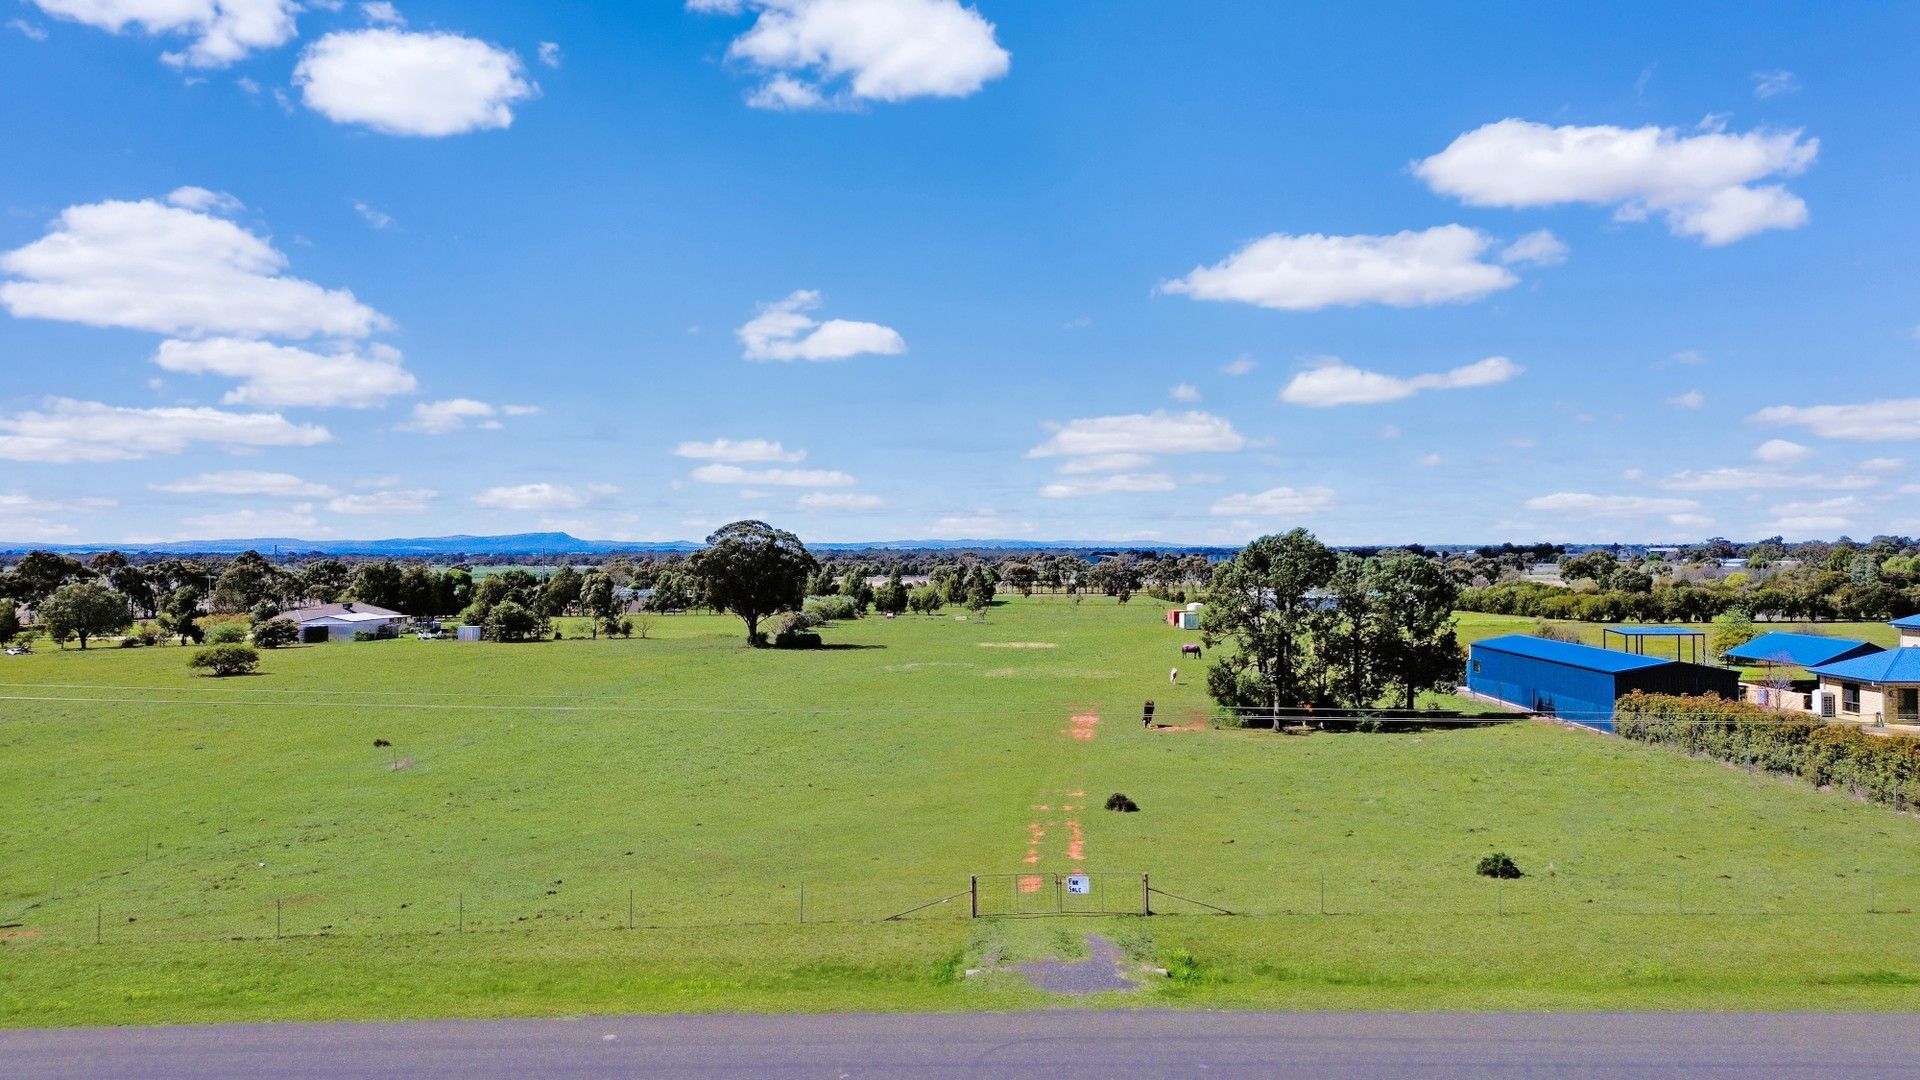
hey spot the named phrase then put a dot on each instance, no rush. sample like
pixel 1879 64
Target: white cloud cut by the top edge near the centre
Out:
pixel 821 53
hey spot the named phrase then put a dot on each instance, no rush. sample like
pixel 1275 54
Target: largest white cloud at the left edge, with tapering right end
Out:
pixel 172 270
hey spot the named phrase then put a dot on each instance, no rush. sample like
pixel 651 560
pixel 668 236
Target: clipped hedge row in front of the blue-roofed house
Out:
pixel 1884 770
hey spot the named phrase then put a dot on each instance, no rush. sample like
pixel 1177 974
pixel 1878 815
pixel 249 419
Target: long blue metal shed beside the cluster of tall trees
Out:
pixel 1583 683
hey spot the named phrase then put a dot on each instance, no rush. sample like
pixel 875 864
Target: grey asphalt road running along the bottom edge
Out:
pixel 1362 1046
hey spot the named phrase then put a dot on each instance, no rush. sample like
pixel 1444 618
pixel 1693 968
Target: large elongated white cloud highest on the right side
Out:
pixel 1704 185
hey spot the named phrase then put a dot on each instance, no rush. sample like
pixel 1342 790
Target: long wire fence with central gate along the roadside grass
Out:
pixel 558 908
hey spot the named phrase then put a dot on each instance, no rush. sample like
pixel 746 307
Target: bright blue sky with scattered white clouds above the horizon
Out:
pixel 919 270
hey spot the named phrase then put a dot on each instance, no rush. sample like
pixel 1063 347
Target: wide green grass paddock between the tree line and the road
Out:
pixel 243 848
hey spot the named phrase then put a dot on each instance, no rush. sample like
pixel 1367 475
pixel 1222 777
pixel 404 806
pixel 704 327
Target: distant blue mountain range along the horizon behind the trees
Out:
pixel 540 545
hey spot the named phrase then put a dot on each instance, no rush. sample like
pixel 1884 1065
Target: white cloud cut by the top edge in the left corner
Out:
pixel 224 30
